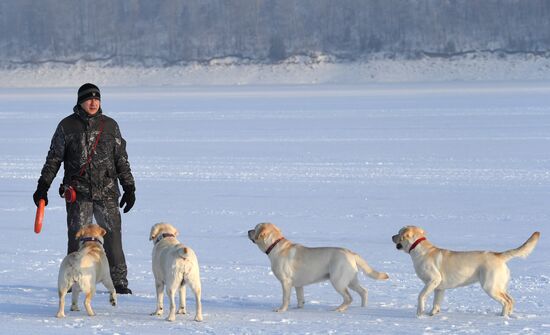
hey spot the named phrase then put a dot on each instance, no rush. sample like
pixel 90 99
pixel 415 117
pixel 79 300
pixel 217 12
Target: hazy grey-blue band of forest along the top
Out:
pixel 167 32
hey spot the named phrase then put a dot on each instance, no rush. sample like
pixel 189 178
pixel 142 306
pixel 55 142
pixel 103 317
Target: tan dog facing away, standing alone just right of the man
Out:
pixel 174 265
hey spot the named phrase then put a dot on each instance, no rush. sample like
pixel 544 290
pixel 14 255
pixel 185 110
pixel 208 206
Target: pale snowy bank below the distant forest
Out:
pixel 295 70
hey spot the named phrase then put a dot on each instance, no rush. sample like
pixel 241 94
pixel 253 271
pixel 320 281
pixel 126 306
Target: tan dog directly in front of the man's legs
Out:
pixel 82 269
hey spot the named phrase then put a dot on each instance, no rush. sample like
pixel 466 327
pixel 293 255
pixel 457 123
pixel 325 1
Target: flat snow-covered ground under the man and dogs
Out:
pixel 332 165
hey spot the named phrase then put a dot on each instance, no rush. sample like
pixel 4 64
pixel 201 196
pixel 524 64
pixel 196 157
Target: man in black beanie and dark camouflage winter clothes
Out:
pixel 93 153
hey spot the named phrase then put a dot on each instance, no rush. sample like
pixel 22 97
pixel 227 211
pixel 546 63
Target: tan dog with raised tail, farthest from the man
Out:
pixel 442 269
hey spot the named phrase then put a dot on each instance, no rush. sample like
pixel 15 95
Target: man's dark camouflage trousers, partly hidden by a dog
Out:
pixel 107 215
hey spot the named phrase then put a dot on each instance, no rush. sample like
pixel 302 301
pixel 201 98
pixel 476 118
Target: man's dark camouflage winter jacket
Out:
pixel 71 145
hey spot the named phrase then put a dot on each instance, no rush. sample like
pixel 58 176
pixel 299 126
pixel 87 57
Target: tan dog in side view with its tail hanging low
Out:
pixel 296 266
